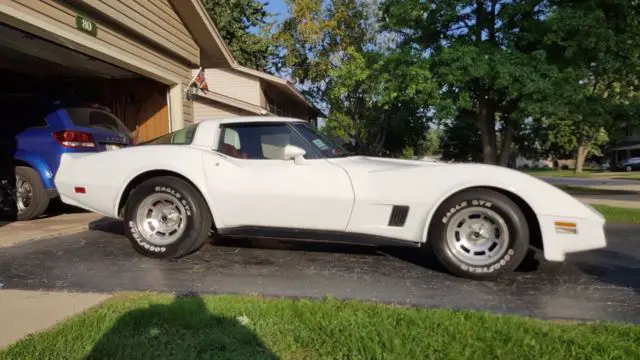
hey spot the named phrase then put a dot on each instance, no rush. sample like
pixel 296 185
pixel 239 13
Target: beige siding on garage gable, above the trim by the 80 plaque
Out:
pixel 154 22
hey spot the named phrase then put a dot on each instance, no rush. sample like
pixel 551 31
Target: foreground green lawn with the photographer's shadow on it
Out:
pixel 149 326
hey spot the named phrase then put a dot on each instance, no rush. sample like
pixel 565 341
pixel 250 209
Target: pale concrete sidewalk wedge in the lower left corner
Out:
pixel 26 312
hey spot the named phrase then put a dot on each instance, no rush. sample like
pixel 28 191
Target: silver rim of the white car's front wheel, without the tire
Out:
pixel 477 236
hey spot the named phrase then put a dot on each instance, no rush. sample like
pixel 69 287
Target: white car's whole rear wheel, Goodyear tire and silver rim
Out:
pixel 166 217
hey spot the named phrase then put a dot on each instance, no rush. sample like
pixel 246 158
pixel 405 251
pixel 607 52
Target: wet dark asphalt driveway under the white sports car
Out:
pixel 599 285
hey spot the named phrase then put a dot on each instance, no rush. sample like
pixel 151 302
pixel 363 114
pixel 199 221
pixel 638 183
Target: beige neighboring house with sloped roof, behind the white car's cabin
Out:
pixel 240 91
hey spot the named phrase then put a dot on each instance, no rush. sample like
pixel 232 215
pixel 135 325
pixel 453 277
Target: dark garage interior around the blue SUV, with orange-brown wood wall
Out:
pixel 36 71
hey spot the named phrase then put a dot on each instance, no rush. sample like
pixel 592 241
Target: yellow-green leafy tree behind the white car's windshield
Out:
pixel 377 96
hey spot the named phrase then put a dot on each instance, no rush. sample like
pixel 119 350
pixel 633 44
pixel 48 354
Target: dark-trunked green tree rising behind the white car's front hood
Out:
pixel 477 56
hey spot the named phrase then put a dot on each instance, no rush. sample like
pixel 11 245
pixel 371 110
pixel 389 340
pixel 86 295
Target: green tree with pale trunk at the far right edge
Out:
pixel 597 43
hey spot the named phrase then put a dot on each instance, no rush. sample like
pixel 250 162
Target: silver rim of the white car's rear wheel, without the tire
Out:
pixel 161 219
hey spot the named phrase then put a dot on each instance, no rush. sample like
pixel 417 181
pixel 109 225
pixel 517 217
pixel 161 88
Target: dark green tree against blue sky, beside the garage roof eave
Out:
pixel 234 20
